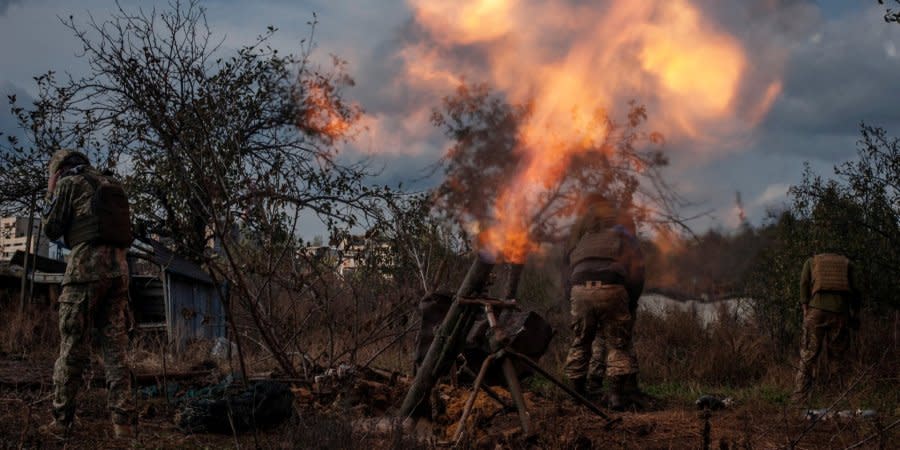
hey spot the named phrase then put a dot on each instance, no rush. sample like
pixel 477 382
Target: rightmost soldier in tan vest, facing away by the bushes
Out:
pixel 830 301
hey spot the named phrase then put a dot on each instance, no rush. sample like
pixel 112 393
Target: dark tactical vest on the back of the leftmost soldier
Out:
pixel 109 221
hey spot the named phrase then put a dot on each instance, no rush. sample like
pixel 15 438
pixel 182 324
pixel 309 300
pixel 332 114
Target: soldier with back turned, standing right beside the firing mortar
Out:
pixel 605 279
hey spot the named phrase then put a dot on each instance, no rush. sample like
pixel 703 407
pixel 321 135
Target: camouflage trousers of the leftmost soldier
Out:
pixel 89 311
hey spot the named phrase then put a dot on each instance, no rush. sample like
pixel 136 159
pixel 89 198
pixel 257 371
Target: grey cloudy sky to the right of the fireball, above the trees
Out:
pixel 839 68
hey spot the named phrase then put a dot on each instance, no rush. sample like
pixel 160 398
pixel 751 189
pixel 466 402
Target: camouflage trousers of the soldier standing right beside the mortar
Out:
pixel 602 325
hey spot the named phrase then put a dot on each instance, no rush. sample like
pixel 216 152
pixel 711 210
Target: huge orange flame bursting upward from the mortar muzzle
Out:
pixel 571 62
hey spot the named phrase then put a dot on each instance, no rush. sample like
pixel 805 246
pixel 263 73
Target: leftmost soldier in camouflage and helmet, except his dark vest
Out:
pixel 93 301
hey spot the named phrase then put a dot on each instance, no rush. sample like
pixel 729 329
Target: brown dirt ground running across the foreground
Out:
pixel 331 418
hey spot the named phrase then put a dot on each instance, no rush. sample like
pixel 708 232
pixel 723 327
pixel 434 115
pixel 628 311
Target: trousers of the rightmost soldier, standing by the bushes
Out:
pixel 824 332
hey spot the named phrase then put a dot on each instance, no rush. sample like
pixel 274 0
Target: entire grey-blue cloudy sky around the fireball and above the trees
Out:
pixel 835 63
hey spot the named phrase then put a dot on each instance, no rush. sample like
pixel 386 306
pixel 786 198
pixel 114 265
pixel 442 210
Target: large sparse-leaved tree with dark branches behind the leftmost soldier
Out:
pixel 216 146
